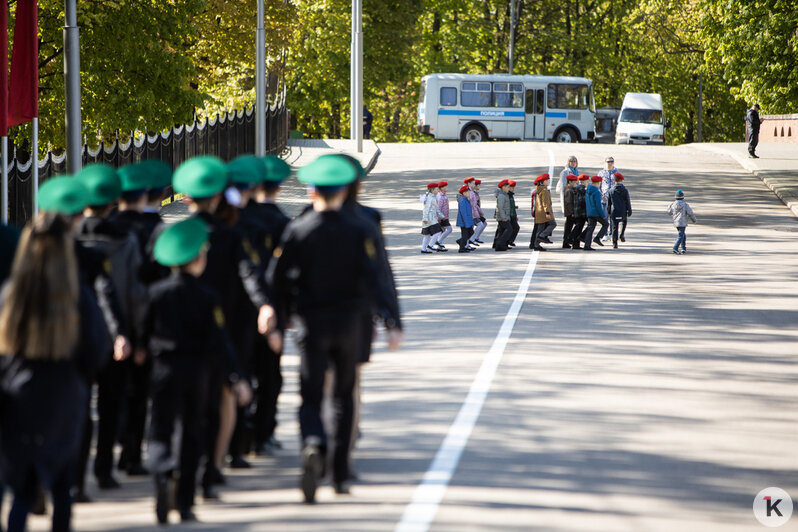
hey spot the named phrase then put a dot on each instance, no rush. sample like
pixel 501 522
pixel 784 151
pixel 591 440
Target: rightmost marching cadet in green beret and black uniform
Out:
pixel 326 271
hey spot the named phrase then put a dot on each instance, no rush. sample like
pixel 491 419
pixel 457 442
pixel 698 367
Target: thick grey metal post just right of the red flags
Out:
pixel 72 87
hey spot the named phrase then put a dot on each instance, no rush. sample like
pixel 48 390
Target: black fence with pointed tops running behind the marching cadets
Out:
pixel 225 136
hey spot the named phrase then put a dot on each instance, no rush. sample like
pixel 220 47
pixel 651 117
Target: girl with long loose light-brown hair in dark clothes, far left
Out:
pixel 51 334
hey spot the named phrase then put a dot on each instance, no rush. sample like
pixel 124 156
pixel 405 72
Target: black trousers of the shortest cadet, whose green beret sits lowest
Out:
pixel 179 391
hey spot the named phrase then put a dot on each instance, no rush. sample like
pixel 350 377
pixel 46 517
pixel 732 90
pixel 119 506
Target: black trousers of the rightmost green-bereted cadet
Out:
pixel 329 339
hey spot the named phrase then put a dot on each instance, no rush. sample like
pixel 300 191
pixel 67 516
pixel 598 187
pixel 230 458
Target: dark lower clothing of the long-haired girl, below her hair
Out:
pixel 43 403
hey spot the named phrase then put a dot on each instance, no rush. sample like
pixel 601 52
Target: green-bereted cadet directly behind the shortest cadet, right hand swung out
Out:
pixel 231 274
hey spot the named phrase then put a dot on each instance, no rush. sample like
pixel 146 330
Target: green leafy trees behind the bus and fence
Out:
pixel 152 64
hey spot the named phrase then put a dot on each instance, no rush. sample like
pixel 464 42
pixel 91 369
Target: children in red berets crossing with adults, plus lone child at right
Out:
pixel 601 200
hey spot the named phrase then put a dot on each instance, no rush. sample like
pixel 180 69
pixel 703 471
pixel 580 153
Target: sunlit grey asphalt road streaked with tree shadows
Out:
pixel 636 390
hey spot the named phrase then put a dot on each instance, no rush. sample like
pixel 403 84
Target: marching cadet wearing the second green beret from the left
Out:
pixel 121 250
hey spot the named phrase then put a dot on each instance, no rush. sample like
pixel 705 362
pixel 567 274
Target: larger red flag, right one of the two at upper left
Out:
pixel 23 100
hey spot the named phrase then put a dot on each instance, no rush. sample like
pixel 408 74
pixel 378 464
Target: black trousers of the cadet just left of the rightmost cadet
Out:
pixel 266 365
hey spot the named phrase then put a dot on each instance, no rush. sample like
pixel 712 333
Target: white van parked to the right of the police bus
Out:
pixel 641 120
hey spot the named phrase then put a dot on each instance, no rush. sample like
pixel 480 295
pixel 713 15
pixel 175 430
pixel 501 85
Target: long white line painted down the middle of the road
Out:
pixel 421 511
